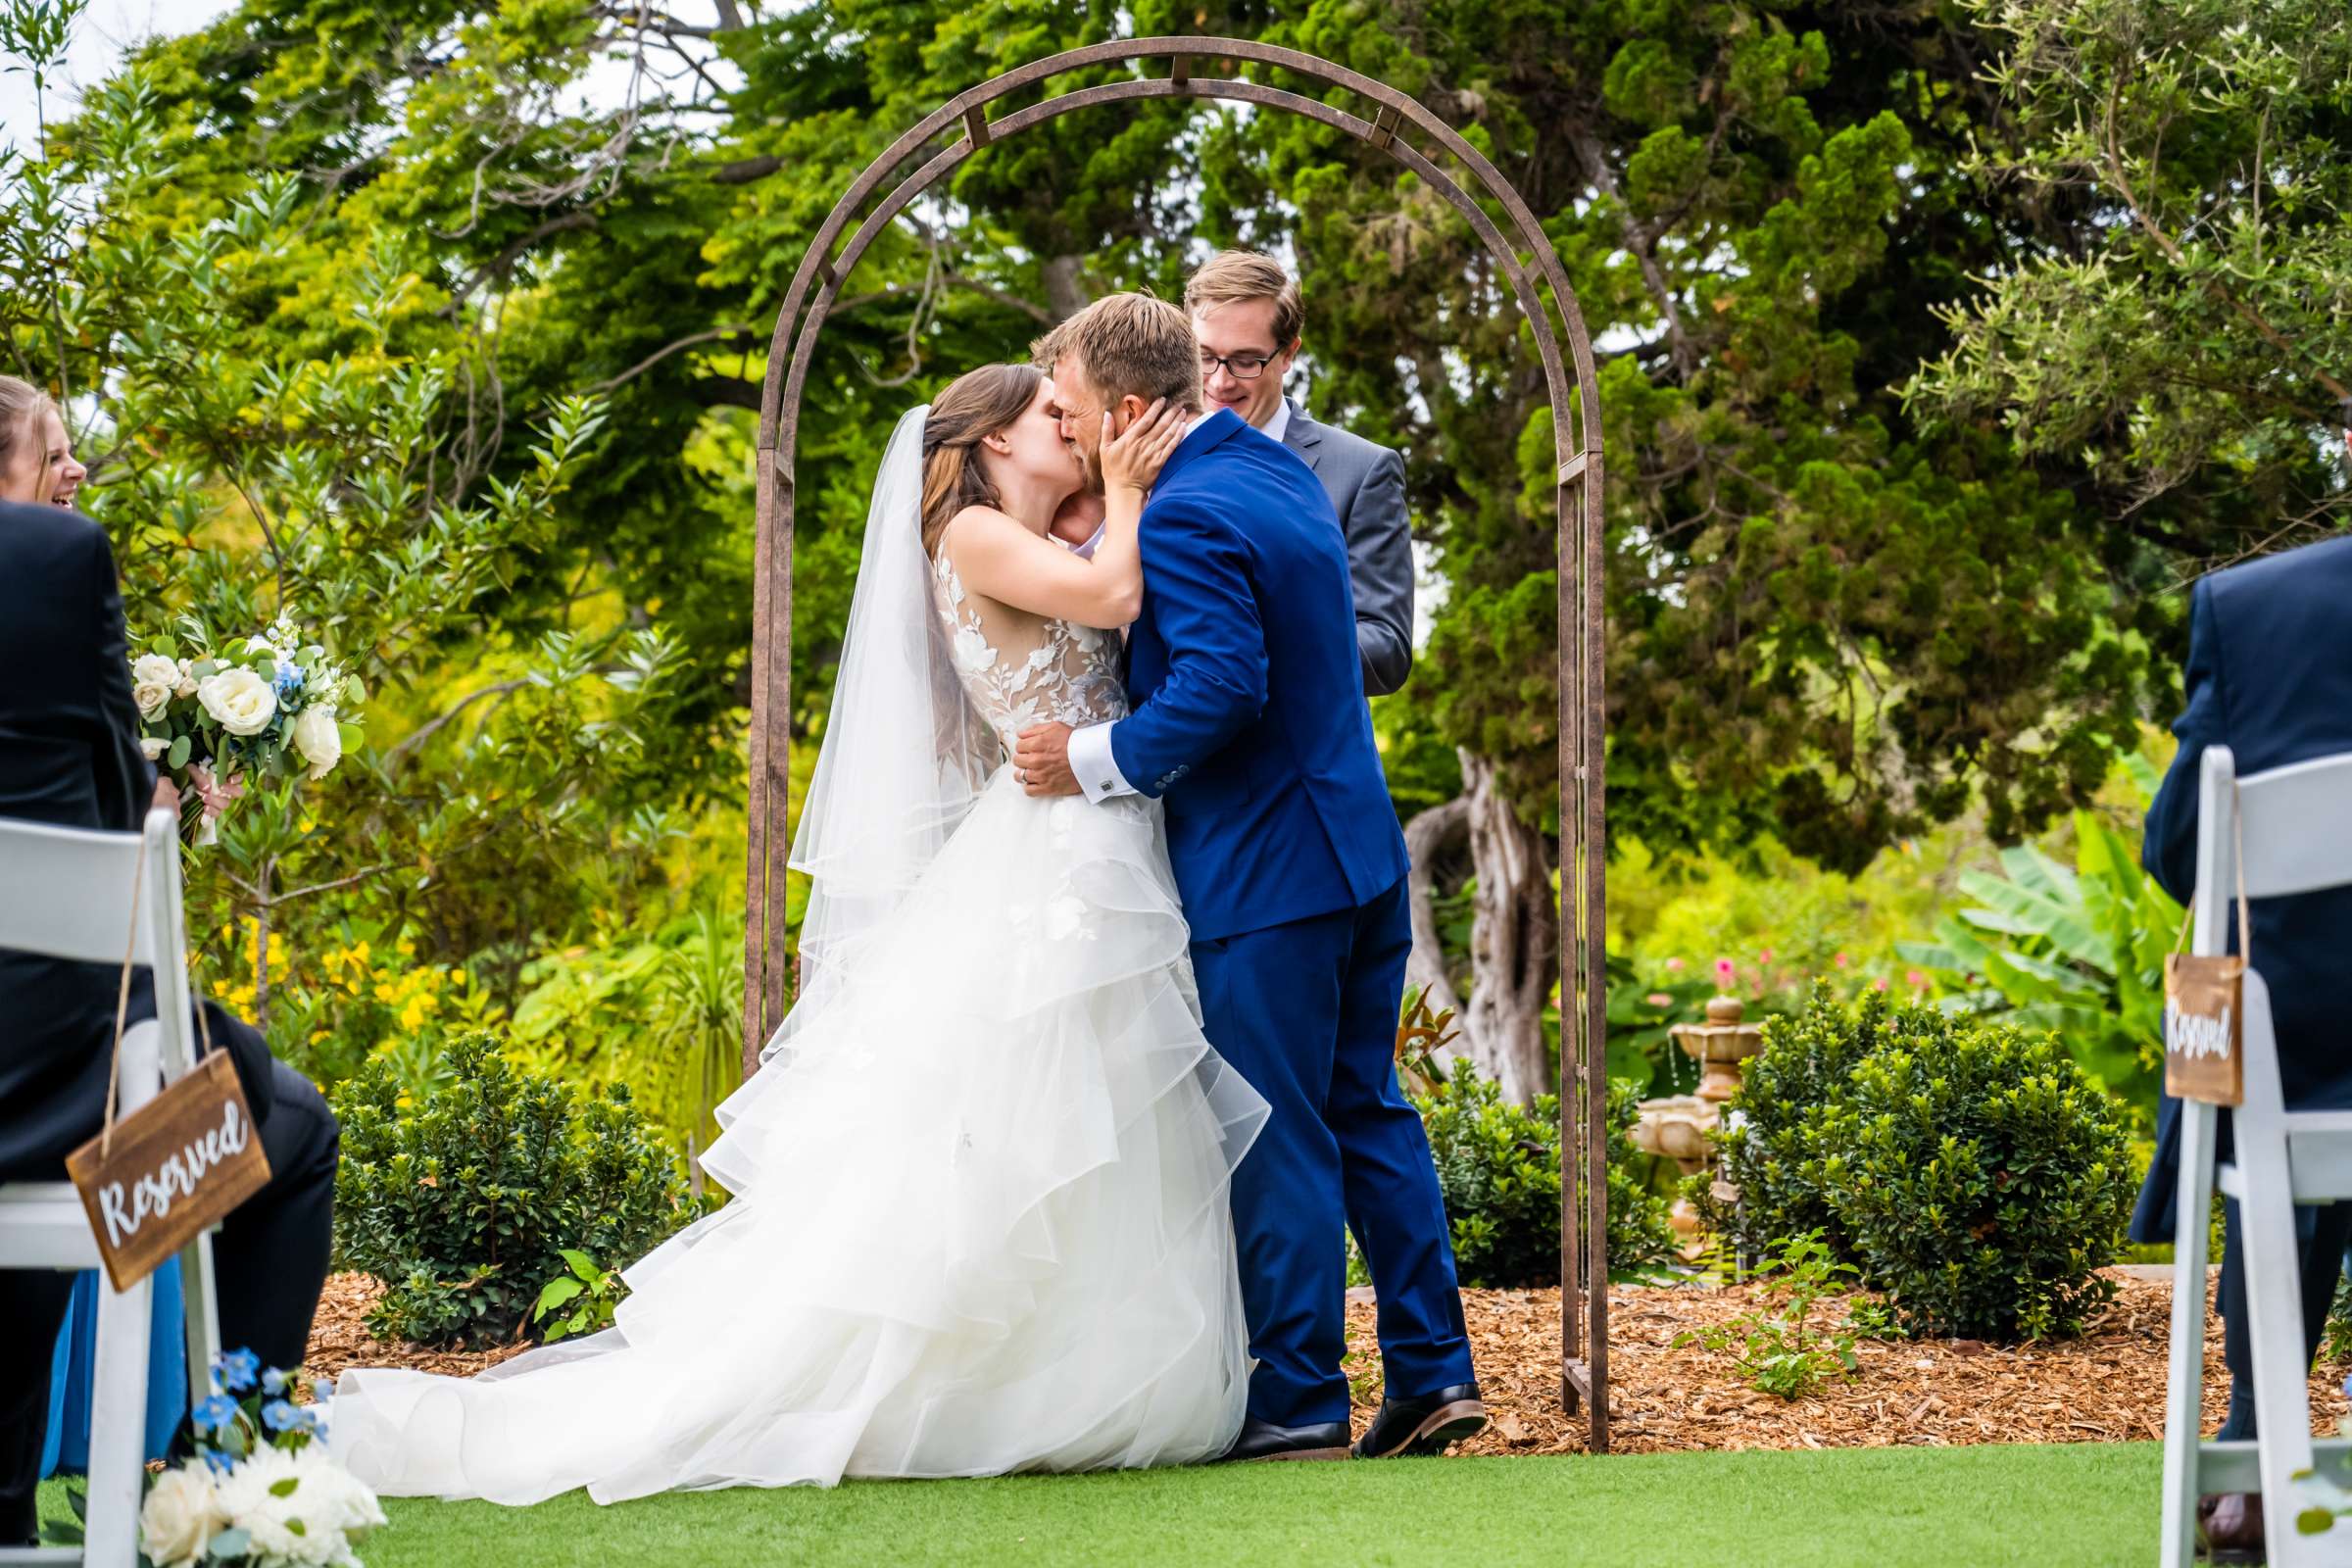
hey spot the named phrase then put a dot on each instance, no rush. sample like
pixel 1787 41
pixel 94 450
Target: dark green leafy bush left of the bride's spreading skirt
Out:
pixel 465 1205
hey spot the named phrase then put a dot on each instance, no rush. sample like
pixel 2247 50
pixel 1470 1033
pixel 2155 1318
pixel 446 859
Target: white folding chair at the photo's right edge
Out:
pixel 2297 831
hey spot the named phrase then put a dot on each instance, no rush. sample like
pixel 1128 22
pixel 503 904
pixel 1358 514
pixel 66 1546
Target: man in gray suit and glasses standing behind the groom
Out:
pixel 1248 319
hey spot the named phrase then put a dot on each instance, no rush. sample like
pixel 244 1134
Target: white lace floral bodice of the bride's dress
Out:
pixel 1022 669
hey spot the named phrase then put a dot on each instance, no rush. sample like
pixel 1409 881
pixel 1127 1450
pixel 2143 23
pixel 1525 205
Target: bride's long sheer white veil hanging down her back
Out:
pixel 904 753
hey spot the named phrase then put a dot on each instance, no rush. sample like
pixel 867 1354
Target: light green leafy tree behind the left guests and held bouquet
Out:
pixel 286 422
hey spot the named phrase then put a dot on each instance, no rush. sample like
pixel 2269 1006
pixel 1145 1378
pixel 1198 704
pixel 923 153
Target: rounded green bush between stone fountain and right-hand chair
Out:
pixel 1970 1172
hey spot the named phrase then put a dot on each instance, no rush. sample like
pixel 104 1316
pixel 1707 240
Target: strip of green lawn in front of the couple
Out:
pixel 2076 1506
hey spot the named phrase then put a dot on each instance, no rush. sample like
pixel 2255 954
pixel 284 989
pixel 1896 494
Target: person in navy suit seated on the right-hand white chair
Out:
pixel 2271 678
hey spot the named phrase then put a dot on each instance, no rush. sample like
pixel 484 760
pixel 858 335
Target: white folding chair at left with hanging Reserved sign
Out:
pixel 69 894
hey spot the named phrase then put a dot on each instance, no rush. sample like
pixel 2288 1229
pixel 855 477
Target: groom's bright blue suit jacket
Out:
pixel 1248 692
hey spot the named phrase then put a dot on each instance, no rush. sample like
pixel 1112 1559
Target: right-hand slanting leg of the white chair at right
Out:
pixel 2276 1334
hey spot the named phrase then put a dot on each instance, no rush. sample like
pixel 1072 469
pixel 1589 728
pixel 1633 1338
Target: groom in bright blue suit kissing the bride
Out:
pixel 1250 723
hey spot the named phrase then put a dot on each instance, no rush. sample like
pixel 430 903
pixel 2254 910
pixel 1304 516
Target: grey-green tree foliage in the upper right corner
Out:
pixel 2193 337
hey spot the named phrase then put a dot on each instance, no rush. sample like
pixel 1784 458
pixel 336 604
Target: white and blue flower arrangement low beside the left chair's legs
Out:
pixel 258 1503
